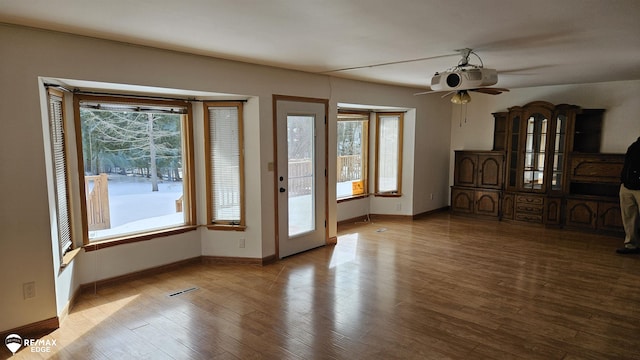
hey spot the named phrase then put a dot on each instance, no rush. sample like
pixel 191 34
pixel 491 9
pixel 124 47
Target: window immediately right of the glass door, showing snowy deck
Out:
pixel 353 135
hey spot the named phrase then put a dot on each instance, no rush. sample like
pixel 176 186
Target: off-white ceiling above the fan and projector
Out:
pixel 530 43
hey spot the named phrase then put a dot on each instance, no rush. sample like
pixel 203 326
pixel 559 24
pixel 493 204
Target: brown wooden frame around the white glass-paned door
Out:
pixel 275 99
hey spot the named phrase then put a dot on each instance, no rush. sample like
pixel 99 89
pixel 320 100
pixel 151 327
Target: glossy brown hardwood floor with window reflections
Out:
pixel 441 287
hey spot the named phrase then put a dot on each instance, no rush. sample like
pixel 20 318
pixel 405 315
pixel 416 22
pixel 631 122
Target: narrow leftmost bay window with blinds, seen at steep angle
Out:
pixel 56 128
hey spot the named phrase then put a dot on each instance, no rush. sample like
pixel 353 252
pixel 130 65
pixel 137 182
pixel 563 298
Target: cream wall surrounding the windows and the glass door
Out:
pixel 28 244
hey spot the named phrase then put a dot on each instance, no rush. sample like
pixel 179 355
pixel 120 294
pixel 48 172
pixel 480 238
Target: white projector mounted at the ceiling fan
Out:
pixel 464 79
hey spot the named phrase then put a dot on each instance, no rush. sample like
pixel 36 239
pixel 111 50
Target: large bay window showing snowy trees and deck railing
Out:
pixel 136 159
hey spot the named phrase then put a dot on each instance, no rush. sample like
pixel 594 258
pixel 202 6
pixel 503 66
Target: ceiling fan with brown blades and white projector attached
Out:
pixel 463 78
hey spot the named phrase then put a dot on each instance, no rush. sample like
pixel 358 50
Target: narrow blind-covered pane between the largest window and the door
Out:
pixel 224 144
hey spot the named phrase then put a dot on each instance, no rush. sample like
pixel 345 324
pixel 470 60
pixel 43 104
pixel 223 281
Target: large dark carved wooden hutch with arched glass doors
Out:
pixel 545 168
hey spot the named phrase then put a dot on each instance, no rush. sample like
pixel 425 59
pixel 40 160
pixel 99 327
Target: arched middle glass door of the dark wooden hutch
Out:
pixel 534 155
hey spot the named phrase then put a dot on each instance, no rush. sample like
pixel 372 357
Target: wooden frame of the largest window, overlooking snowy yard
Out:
pixel 189 203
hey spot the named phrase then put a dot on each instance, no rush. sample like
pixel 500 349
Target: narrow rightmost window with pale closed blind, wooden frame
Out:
pixel 388 154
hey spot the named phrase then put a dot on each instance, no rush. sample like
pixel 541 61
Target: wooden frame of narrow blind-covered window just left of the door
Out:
pixel 224 224
